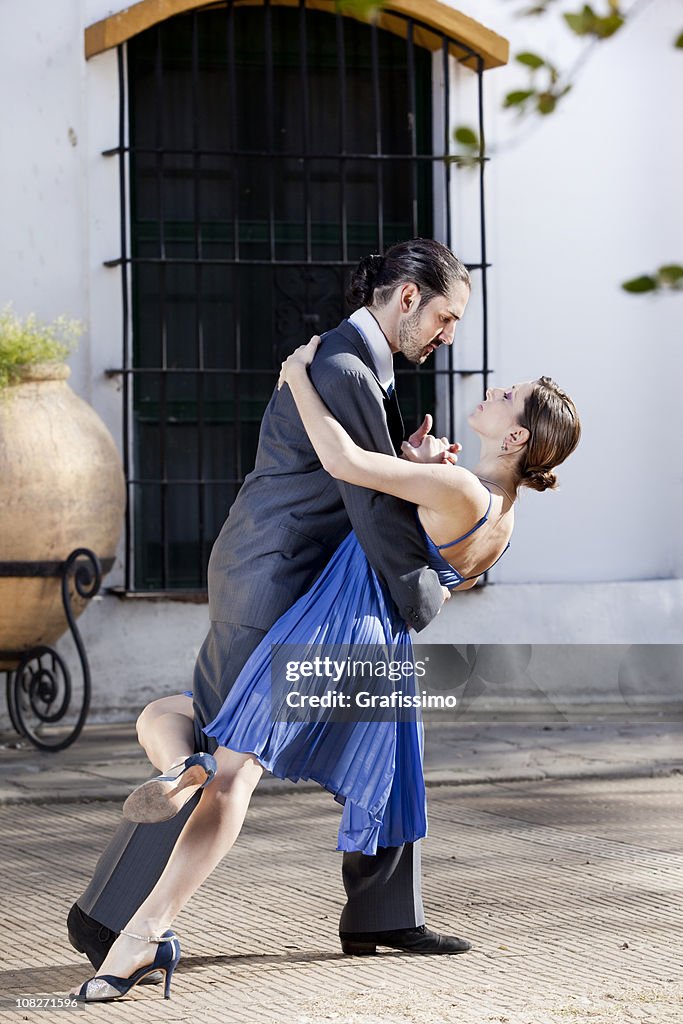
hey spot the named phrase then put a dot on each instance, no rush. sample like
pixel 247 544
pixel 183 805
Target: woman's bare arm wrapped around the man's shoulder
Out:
pixel 433 486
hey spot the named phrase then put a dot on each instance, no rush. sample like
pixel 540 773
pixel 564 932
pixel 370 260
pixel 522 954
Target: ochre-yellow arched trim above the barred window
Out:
pixel 492 49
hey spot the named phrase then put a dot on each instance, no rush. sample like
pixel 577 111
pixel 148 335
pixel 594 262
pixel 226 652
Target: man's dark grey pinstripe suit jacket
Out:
pixel 290 516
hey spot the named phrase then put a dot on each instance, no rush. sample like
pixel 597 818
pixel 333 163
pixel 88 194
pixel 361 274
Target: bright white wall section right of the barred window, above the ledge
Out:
pixel 577 203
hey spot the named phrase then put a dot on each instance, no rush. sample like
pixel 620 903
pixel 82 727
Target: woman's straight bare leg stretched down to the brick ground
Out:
pixel 207 837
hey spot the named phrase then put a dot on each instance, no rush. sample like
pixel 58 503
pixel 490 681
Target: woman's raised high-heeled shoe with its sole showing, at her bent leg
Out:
pixel 153 801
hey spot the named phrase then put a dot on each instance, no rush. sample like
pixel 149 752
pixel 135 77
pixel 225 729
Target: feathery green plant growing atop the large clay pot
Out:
pixel 27 342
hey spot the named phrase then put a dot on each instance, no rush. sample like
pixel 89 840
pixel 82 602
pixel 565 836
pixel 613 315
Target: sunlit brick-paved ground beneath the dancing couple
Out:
pixel 571 891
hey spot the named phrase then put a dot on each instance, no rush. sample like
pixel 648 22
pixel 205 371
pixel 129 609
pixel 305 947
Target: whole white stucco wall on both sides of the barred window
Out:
pixel 585 201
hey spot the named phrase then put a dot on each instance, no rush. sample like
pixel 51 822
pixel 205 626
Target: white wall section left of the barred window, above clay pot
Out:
pixel 60 197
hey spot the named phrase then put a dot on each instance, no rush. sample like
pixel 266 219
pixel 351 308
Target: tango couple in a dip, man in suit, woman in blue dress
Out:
pixel 332 540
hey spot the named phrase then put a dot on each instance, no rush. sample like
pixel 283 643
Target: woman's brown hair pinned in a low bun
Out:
pixel 552 420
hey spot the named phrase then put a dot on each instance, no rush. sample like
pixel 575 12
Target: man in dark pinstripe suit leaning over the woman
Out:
pixel 287 522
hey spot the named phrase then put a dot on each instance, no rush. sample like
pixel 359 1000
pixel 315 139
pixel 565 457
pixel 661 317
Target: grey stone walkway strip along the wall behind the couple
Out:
pixel 107 762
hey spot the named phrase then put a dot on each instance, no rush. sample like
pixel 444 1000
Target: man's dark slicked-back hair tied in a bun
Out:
pixel 432 266
